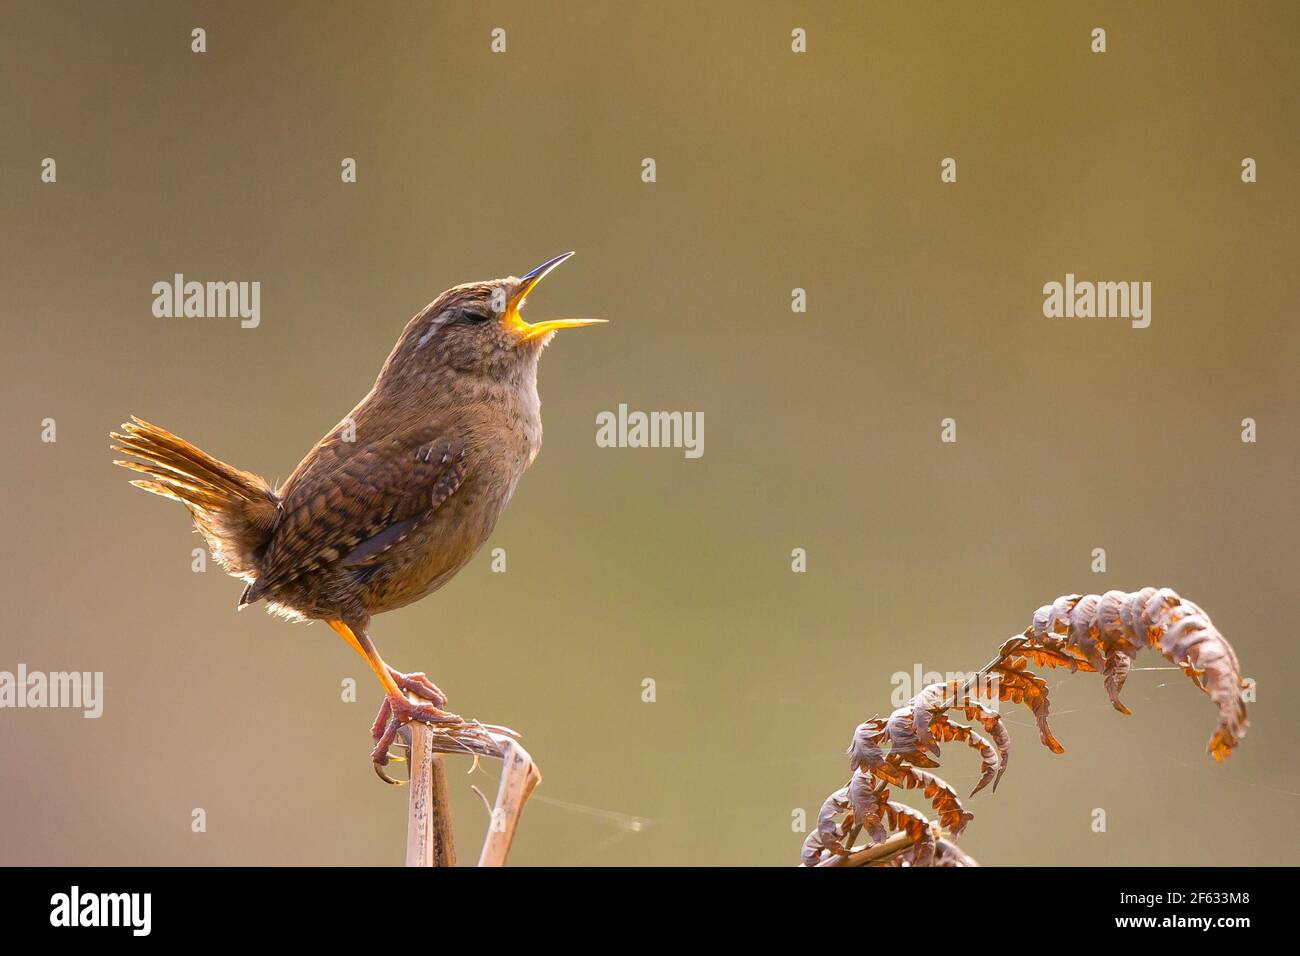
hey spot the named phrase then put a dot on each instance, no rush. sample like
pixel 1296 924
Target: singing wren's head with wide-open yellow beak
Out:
pixel 479 328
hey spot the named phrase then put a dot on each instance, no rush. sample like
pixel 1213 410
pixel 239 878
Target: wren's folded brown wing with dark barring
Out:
pixel 353 503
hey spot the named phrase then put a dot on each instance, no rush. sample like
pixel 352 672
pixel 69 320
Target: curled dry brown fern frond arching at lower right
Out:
pixel 1085 633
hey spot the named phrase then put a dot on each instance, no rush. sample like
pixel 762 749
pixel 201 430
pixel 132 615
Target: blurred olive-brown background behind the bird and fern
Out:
pixel 822 430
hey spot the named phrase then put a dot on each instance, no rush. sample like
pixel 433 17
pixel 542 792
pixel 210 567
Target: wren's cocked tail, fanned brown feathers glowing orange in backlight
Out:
pixel 236 512
